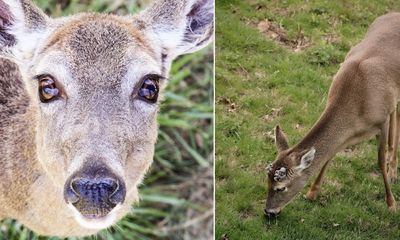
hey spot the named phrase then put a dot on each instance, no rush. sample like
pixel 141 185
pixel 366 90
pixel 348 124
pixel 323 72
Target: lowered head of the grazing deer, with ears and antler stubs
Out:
pixel 287 175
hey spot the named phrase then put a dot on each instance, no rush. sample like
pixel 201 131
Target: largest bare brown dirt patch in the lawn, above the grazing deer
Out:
pixel 277 33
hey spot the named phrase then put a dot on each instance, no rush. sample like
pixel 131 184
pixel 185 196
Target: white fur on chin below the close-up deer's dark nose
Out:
pixel 97 224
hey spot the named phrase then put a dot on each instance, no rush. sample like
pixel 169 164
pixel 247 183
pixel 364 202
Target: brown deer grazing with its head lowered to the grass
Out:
pixel 362 103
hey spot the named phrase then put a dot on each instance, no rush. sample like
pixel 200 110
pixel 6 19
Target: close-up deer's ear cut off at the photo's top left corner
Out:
pixel 20 21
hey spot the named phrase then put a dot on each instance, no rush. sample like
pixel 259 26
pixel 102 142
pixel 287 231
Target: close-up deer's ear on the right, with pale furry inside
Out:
pixel 179 26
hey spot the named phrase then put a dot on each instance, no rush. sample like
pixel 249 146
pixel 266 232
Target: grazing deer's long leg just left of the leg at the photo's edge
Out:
pixel 383 141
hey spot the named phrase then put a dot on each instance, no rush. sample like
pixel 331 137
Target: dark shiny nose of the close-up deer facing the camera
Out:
pixel 95 192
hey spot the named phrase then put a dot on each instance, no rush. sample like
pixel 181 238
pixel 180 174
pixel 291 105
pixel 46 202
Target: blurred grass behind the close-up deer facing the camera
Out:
pixel 170 207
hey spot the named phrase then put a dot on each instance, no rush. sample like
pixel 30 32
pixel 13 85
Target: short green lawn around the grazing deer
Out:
pixel 261 83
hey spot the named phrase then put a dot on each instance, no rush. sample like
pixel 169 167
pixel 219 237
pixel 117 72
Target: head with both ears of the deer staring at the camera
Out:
pixel 94 83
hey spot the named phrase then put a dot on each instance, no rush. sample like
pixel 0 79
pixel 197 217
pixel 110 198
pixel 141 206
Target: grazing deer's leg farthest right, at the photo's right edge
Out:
pixel 394 133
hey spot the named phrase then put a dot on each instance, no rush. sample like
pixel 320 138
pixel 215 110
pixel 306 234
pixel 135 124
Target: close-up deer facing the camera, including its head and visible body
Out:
pixel 79 97
